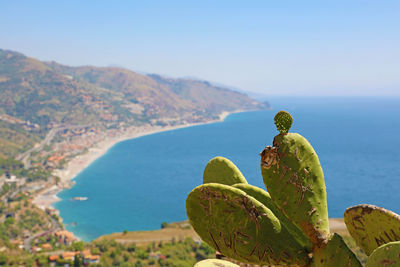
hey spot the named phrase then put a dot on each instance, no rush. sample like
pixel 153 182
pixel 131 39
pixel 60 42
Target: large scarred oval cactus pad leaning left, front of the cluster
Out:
pixel 240 227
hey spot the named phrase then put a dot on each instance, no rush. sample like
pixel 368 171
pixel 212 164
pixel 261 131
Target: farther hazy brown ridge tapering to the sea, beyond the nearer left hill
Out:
pixel 157 96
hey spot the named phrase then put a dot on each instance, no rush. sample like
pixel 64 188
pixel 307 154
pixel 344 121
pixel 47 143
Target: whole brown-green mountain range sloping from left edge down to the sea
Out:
pixel 36 96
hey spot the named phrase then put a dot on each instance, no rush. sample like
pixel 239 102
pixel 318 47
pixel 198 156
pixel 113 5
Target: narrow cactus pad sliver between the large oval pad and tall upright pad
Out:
pixel 264 197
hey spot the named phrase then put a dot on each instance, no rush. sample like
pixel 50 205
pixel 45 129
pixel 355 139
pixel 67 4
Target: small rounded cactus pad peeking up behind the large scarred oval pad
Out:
pixel 221 170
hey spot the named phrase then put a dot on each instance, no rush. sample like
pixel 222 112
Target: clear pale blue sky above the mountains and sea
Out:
pixel 281 47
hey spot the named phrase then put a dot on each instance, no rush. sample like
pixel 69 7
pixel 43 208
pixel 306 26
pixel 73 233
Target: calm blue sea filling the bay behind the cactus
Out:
pixel 140 183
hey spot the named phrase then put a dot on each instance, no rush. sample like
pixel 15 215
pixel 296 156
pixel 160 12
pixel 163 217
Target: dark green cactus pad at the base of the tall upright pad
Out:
pixel 335 254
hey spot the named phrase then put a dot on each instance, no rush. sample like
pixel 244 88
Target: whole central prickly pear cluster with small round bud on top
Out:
pixel 287 226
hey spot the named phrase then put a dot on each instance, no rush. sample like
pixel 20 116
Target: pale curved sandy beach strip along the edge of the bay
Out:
pixel 48 197
